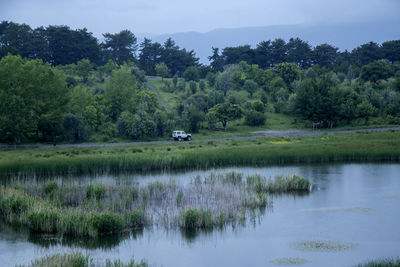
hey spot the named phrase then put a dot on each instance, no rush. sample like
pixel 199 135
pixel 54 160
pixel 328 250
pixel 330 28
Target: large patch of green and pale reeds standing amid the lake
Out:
pixel 95 210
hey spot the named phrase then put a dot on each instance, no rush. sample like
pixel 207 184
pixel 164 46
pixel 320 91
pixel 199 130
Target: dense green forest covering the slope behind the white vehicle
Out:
pixel 63 85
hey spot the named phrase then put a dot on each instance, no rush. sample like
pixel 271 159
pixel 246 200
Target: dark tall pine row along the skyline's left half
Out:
pixel 60 45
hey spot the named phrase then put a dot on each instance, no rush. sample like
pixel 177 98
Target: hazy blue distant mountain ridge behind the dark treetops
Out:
pixel 344 36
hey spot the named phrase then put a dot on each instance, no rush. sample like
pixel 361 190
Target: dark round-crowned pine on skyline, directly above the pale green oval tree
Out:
pixel 120 47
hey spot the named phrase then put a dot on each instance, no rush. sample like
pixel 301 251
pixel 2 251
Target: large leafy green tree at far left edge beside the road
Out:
pixel 33 99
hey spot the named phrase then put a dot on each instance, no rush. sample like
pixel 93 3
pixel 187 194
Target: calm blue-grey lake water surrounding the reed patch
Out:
pixel 352 216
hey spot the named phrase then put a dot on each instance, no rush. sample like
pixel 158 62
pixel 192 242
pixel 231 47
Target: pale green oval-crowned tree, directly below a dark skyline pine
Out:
pixel 120 91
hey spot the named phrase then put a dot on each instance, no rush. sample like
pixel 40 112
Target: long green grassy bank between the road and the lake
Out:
pixel 361 147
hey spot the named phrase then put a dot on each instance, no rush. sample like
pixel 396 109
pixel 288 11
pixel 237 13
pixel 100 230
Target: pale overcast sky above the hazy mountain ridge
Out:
pixel 170 16
